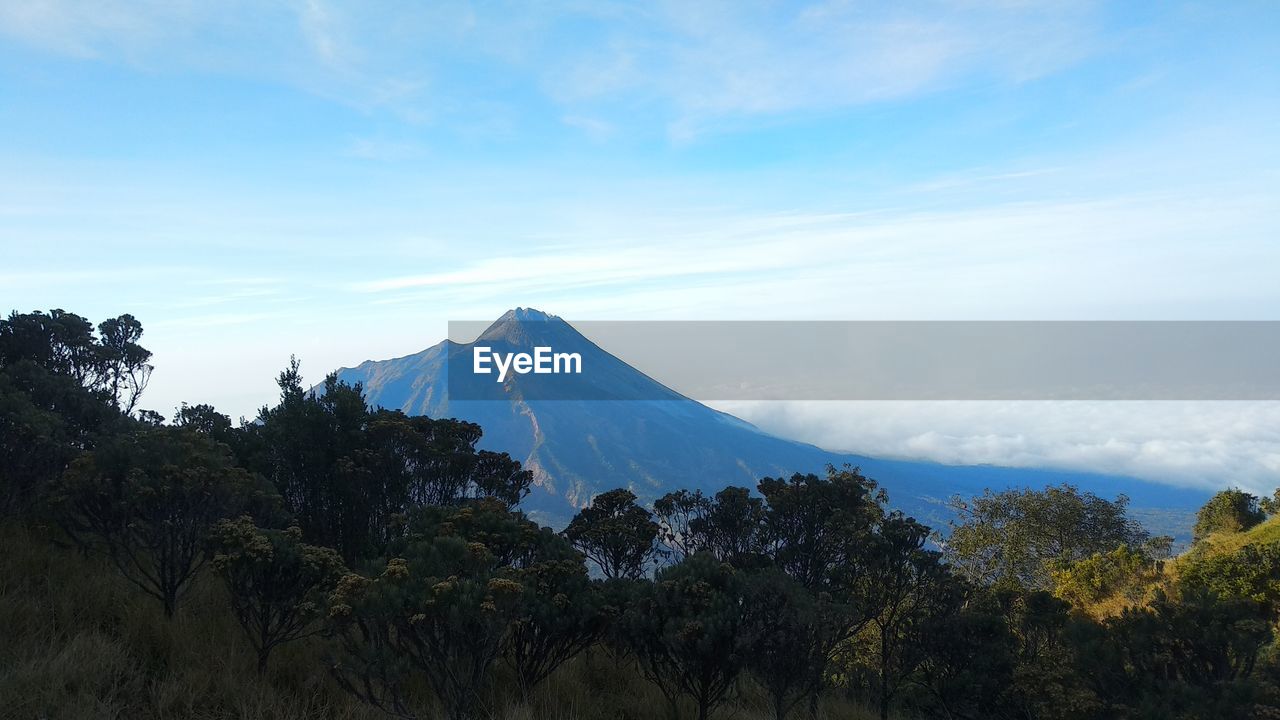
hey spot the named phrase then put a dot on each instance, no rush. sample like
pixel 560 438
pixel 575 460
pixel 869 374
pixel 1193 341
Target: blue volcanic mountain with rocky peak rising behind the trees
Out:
pixel 615 427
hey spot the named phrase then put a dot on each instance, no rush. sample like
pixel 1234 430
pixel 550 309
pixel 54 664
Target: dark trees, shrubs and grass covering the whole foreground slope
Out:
pixel 333 560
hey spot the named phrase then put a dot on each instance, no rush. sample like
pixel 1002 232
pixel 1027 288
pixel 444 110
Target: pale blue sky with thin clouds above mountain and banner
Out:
pixel 339 181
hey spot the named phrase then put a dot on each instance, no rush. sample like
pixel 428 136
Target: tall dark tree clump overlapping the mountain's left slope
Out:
pixel 349 473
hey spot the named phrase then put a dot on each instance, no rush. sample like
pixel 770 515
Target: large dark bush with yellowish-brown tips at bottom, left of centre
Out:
pixel 442 609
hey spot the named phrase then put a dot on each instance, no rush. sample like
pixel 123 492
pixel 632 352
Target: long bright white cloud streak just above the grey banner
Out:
pixel 1130 258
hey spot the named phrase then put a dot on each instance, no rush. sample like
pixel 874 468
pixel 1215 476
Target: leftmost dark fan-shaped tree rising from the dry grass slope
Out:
pixel 148 500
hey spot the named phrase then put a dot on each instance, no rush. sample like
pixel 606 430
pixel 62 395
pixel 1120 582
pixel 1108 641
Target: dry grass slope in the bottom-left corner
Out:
pixel 83 644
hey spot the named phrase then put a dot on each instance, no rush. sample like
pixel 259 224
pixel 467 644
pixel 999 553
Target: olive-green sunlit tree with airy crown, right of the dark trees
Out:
pixel 1020 536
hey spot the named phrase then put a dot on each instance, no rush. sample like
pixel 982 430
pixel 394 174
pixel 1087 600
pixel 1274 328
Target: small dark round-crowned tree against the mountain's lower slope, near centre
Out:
pixel 616 535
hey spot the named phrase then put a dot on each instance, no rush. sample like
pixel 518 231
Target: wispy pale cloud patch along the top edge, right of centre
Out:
pixel 711 61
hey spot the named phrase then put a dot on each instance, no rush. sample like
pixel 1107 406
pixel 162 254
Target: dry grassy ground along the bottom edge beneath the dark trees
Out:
pixel 80 644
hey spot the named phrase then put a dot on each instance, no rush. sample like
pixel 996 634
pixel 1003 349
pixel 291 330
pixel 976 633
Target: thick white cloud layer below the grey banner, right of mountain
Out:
pixel 1208 445
